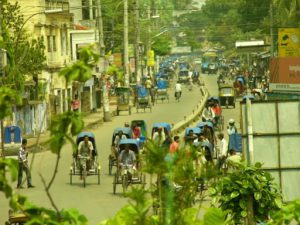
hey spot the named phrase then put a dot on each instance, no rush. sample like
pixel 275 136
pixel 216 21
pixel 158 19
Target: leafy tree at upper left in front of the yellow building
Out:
pixel 26 56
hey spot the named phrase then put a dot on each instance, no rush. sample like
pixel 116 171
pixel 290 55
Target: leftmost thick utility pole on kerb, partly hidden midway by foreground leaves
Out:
pixel 105 98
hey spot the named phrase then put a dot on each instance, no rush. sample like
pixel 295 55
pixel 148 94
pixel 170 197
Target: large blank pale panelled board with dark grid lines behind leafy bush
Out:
pixel 273 138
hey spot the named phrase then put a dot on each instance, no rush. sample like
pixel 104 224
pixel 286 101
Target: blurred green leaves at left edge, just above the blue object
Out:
pixel 8 98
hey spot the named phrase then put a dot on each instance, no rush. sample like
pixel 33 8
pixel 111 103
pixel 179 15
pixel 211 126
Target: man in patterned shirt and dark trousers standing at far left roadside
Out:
pixel 23 165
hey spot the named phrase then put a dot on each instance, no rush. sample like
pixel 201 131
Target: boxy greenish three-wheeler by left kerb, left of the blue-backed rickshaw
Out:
pixel 123 99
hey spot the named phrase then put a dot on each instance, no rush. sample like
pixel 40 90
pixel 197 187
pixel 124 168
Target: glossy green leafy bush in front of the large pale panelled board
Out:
pixel 234 190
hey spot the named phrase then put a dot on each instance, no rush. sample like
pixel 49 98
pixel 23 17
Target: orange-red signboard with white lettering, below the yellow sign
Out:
pixel 285 74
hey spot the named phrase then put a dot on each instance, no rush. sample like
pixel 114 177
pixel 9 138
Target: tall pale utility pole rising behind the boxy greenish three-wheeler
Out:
pixel 137 42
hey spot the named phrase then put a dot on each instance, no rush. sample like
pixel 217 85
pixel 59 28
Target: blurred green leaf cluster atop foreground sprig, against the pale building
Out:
pixel 82 69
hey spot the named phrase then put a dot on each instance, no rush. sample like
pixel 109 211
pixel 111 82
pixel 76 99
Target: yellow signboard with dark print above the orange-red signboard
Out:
pixel 288 42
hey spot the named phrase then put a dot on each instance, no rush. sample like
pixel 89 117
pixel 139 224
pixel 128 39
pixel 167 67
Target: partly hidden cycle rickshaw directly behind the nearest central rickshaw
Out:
pixel 127 132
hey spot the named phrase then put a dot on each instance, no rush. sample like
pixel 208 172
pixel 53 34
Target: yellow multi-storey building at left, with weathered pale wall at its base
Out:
pixel 52 20
